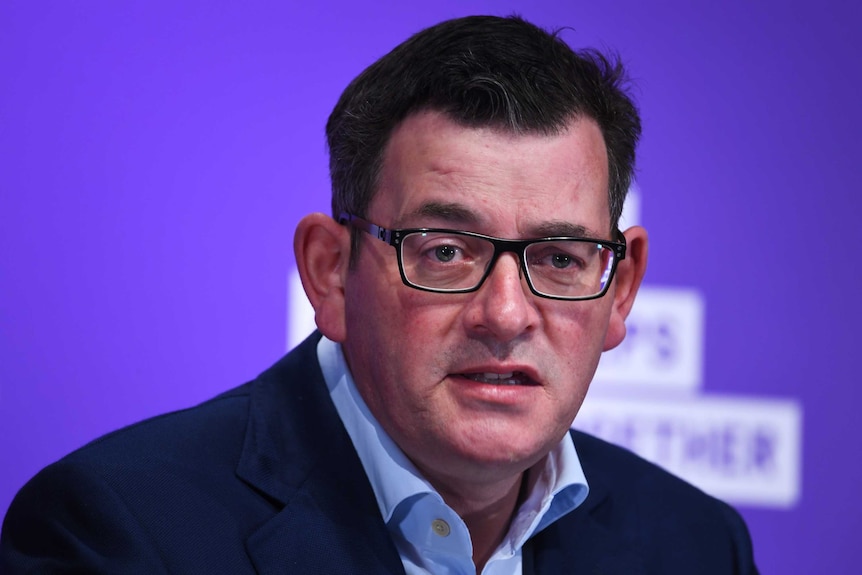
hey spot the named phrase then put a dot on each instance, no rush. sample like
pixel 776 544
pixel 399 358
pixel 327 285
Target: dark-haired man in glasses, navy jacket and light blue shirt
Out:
pixel 464 289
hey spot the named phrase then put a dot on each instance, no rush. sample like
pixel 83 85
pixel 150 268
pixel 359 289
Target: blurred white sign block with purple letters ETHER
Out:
pixel 738 449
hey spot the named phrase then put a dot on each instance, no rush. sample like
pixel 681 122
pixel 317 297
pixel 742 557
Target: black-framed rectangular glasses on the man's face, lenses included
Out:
pixel 452 261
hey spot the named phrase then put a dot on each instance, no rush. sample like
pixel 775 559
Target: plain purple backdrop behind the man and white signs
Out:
pixel 154 160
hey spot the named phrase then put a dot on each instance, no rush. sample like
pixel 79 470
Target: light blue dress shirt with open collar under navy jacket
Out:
pixel 429 535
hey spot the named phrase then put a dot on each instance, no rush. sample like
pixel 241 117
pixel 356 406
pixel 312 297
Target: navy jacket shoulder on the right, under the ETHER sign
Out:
pixel 672 525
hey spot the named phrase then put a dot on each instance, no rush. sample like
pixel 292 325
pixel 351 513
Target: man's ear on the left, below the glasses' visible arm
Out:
pixel 322 250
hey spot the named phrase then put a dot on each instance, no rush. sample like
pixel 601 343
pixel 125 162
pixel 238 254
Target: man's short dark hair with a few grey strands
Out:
pixel 480 71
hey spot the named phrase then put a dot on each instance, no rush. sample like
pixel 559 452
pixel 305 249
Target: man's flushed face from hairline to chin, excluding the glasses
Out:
pixel 478 386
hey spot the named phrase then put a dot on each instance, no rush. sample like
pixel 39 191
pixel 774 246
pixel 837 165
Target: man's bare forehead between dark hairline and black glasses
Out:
pixel 436 172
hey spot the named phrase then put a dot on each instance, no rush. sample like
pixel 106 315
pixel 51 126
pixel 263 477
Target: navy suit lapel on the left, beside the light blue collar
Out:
pixel 298 454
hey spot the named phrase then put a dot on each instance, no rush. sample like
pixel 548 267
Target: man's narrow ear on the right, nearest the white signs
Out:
pixel 627 280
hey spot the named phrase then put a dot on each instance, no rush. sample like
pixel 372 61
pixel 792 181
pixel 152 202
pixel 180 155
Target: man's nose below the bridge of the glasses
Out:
pixel 502 307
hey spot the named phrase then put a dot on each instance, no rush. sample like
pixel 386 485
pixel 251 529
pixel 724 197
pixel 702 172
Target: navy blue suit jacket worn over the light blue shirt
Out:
pixel 264 479
